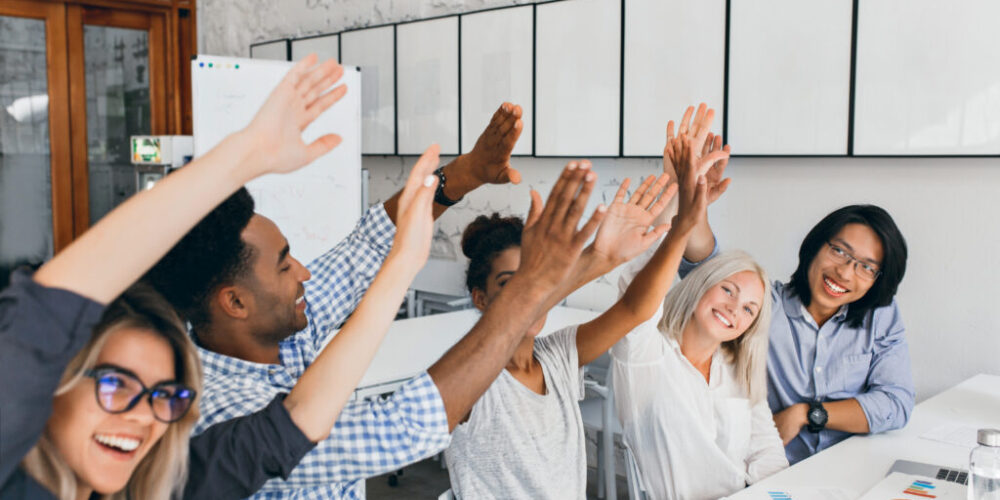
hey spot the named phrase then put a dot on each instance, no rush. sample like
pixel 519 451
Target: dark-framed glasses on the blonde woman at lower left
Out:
pixel 118 390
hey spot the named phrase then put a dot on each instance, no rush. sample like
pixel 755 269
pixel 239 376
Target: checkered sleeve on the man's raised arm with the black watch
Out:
pixel 341 276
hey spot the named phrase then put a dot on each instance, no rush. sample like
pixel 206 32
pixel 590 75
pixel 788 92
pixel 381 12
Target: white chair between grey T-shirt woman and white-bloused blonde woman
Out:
pixel 598 412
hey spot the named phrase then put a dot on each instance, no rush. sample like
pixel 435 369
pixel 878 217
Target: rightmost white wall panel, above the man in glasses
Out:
pixel 928 78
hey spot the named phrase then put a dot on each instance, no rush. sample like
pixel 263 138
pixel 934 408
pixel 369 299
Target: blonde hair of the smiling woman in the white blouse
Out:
pixel 748 352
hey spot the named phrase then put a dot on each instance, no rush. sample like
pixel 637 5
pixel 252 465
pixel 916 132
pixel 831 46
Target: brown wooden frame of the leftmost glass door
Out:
pixel 57 85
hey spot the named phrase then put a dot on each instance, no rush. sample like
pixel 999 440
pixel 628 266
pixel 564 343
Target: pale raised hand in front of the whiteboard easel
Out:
pixel 275 133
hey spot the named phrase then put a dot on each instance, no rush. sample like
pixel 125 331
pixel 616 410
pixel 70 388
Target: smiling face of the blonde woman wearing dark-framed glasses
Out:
pixel 103 449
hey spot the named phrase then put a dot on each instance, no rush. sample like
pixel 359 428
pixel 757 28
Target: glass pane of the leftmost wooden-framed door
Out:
pixel 26 219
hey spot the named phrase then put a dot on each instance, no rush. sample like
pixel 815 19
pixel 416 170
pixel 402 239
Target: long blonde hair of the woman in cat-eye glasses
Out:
pixel 163 471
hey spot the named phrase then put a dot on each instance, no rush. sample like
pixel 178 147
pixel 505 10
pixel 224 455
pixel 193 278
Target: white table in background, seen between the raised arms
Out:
pixel 413 345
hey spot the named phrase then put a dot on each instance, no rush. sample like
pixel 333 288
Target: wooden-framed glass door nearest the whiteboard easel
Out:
pixel 118 76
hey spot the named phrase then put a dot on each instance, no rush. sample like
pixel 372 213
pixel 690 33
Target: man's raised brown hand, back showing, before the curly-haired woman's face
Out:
pixel 551 243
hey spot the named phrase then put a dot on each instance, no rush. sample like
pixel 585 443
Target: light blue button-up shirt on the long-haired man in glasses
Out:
pixel 834 362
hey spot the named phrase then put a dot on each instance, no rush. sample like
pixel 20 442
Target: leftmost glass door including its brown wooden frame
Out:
pixel 36 211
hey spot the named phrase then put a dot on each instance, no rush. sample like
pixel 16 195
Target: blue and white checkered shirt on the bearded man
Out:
pixel 370 437
